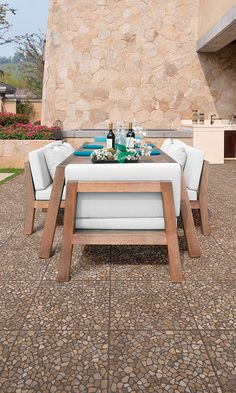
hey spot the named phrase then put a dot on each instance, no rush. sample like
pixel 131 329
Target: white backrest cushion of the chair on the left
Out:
pixel 39 169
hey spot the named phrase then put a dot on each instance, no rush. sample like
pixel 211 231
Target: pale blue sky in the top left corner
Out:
pixel 31 16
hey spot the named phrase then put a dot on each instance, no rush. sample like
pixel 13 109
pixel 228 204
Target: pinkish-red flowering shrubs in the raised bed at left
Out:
pixel 16 126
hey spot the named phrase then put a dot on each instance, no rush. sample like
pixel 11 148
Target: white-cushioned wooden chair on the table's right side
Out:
pixel 196 173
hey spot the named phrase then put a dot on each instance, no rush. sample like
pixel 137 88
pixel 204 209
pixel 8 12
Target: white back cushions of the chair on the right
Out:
pixel 193 164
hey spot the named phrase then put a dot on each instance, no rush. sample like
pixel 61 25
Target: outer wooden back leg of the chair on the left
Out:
pixel 29 201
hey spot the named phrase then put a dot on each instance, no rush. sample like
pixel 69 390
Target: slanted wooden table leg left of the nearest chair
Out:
pixel 51 217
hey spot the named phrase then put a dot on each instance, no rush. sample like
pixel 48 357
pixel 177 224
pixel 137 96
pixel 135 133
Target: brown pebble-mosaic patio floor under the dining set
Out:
pixel 119 325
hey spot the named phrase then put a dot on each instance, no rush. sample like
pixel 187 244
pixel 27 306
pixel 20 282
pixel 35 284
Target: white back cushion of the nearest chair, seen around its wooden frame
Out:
pixel 123 205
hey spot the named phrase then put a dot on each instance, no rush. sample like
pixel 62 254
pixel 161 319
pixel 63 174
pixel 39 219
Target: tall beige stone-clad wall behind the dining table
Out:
pixel 132 60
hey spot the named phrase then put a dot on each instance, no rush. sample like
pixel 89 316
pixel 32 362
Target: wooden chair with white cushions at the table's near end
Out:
pixel 122 204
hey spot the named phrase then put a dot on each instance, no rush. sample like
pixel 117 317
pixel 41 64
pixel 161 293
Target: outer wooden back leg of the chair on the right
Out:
pixel 203 194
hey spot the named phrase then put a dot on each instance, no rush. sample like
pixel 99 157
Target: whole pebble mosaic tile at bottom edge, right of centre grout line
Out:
pixel 160 361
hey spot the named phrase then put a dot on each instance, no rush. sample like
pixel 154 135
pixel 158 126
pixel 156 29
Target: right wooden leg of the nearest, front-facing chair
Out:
pixel 171 233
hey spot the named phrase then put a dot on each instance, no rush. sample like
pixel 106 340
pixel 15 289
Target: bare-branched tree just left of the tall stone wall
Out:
pixel 30 48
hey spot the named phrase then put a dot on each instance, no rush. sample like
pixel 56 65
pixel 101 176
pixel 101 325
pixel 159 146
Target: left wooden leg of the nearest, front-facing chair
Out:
pixel 68 230
